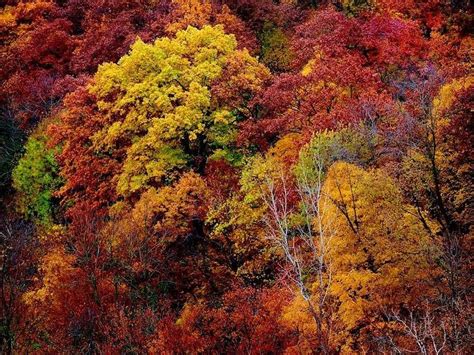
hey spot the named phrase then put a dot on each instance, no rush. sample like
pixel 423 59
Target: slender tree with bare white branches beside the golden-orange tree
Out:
pixel 305 243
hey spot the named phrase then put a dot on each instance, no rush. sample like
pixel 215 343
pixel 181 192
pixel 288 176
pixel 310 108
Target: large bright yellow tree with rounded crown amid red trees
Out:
pixel 173 104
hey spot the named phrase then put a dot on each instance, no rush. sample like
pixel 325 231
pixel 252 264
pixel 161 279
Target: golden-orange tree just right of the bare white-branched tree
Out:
pixel 382 255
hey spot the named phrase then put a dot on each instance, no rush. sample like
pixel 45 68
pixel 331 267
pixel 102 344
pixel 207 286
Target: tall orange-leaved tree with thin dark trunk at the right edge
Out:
pixel 435 180
